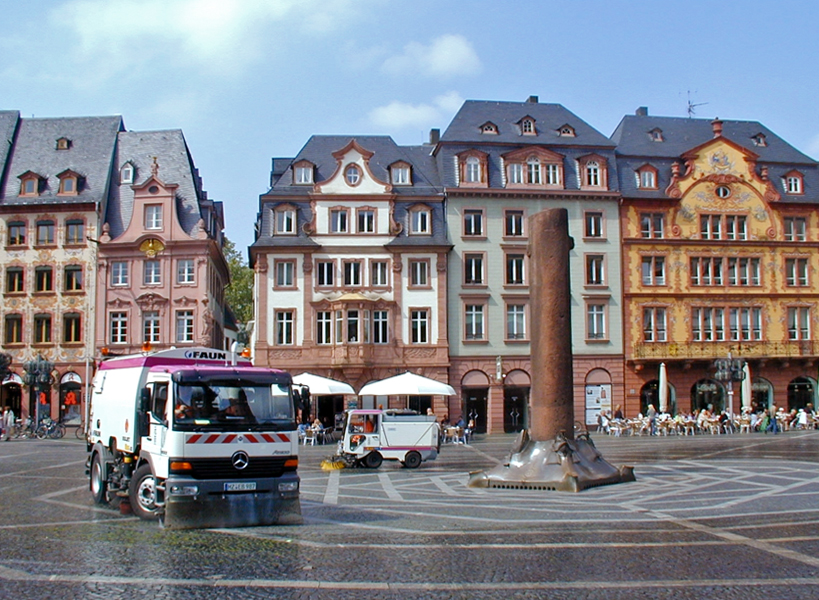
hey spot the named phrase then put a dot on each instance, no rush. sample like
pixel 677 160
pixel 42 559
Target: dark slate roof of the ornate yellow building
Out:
pixel 635 148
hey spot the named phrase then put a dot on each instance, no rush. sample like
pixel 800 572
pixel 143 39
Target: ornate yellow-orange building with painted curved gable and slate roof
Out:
pixel 720 259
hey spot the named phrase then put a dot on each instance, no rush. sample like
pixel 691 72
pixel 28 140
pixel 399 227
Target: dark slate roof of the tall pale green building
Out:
pixel 464 133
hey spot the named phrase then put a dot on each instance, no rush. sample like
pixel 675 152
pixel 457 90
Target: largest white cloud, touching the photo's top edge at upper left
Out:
pixel 219 36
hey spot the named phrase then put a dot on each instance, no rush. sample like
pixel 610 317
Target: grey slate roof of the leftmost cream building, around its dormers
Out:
pixel 92 143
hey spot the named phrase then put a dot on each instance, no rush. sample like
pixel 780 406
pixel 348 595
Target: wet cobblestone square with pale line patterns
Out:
pixel 708 517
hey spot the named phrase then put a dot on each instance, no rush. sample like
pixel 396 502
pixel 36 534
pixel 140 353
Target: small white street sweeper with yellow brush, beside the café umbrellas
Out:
pixel 374 435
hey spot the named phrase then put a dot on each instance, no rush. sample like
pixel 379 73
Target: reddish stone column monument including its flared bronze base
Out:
pixel 549 455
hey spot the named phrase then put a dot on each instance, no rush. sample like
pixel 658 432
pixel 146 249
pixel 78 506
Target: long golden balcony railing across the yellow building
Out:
pixel 711 350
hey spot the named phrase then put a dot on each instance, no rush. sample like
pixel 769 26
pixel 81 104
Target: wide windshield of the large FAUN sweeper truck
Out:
pixel 230 405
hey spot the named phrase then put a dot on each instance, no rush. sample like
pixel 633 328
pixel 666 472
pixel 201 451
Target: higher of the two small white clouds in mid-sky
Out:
pixel 446 56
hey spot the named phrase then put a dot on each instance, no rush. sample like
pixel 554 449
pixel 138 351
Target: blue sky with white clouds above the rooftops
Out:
pixel 249 80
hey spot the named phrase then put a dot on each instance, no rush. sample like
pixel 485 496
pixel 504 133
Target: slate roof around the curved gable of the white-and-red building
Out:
pixel 319 150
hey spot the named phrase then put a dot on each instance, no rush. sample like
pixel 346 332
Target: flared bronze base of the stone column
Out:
pixel 562 465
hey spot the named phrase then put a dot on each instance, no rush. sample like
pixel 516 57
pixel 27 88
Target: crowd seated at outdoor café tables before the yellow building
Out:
pixel 707 420
